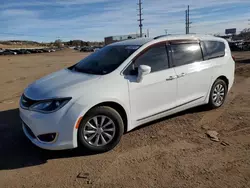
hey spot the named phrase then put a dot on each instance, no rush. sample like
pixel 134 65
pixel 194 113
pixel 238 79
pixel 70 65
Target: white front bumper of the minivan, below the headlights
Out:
pixel 61 122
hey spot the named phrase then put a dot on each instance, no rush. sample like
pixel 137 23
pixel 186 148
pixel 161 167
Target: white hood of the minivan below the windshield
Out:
pixel 58 84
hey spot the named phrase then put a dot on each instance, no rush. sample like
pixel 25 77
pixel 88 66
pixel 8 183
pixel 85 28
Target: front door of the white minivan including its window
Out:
pixel 157 90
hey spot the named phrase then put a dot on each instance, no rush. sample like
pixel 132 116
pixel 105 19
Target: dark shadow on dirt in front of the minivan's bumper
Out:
pixel 18 152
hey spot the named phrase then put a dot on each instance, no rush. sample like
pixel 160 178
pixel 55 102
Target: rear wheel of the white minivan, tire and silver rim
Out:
pixel 213 104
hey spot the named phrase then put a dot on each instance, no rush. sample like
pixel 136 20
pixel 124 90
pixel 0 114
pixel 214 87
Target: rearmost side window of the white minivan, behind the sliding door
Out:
pixel 213 49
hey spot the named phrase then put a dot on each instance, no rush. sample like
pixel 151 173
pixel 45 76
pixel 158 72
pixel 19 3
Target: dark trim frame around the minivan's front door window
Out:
pixel 168 52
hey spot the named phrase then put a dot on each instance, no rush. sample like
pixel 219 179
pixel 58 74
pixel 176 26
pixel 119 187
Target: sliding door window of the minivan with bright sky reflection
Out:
pixel 184 54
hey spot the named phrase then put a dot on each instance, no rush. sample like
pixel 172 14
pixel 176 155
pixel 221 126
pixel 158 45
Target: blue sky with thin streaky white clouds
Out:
pixel 92 20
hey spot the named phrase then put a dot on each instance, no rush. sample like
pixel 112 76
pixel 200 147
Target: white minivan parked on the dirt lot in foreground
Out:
pixel 124 85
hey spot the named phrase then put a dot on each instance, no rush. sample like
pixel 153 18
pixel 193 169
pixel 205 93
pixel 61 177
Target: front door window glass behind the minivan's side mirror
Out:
pixel 156 57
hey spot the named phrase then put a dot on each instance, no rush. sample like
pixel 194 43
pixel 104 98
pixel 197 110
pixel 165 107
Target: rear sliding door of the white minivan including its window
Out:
pixel 194 75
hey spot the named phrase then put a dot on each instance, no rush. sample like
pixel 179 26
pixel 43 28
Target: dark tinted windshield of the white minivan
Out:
pixel 105 60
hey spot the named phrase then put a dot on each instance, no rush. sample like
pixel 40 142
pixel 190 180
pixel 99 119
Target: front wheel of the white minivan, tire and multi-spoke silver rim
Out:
pixel 94 118
